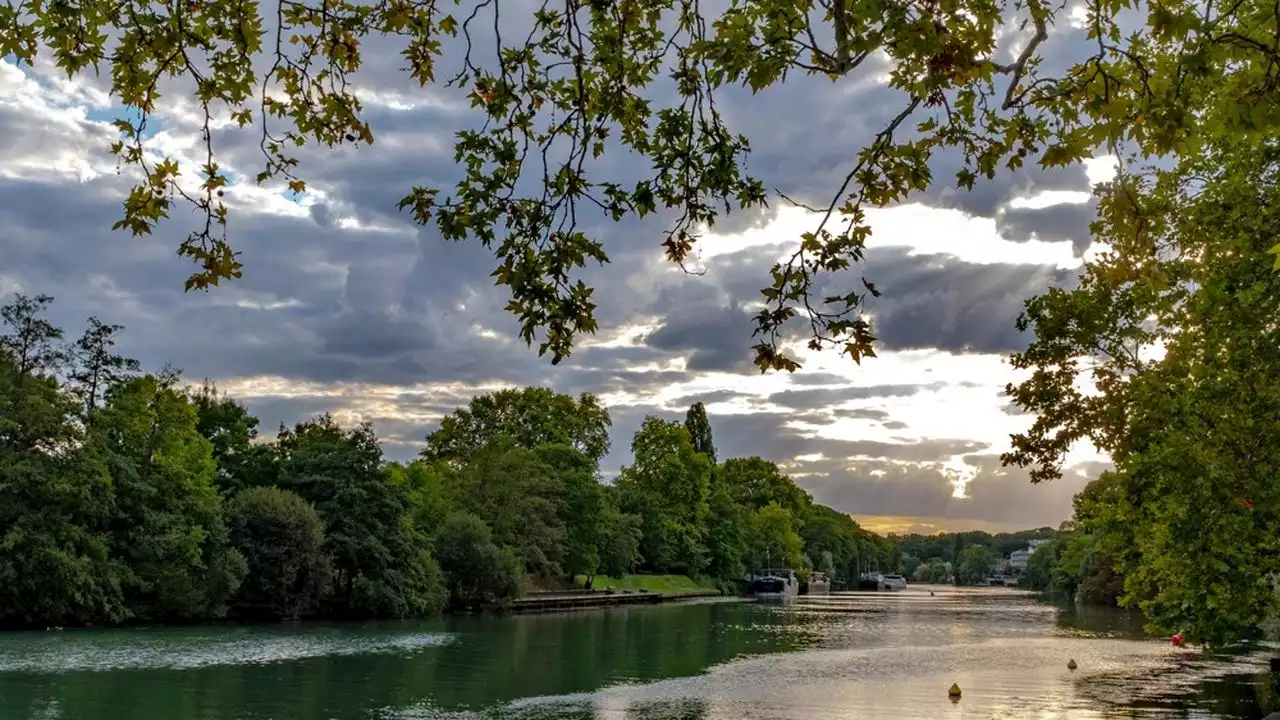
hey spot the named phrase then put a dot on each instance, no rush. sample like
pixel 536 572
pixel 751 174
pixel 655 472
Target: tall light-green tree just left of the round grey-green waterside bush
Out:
pixel 168 523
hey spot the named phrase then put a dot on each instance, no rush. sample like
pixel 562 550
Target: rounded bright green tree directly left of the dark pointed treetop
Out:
pixel 669 487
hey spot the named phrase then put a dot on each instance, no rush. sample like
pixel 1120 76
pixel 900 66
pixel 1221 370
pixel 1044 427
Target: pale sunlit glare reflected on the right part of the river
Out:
pixel 895 655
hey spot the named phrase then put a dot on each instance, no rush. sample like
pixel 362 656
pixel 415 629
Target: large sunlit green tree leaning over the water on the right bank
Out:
pixel 1180 348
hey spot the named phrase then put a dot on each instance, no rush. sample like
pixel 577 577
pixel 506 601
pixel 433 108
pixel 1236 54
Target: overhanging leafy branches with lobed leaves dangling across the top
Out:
pixel 569 88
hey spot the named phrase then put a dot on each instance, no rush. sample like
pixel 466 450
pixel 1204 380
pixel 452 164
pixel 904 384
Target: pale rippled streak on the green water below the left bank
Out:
pixel 127 650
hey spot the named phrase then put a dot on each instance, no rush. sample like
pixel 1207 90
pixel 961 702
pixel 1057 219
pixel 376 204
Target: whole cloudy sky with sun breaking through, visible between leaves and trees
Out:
pixel 346 306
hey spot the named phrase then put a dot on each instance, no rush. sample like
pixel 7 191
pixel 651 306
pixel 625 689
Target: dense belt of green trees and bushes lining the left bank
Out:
pixel 136 499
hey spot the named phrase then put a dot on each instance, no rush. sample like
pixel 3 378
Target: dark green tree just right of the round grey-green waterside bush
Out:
pixel 382 566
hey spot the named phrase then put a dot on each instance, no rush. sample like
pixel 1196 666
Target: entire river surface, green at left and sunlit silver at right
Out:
pixel 842 657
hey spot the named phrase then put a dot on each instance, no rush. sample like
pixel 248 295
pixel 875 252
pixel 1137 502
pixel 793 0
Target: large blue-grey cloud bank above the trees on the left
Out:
pixel 314 306
